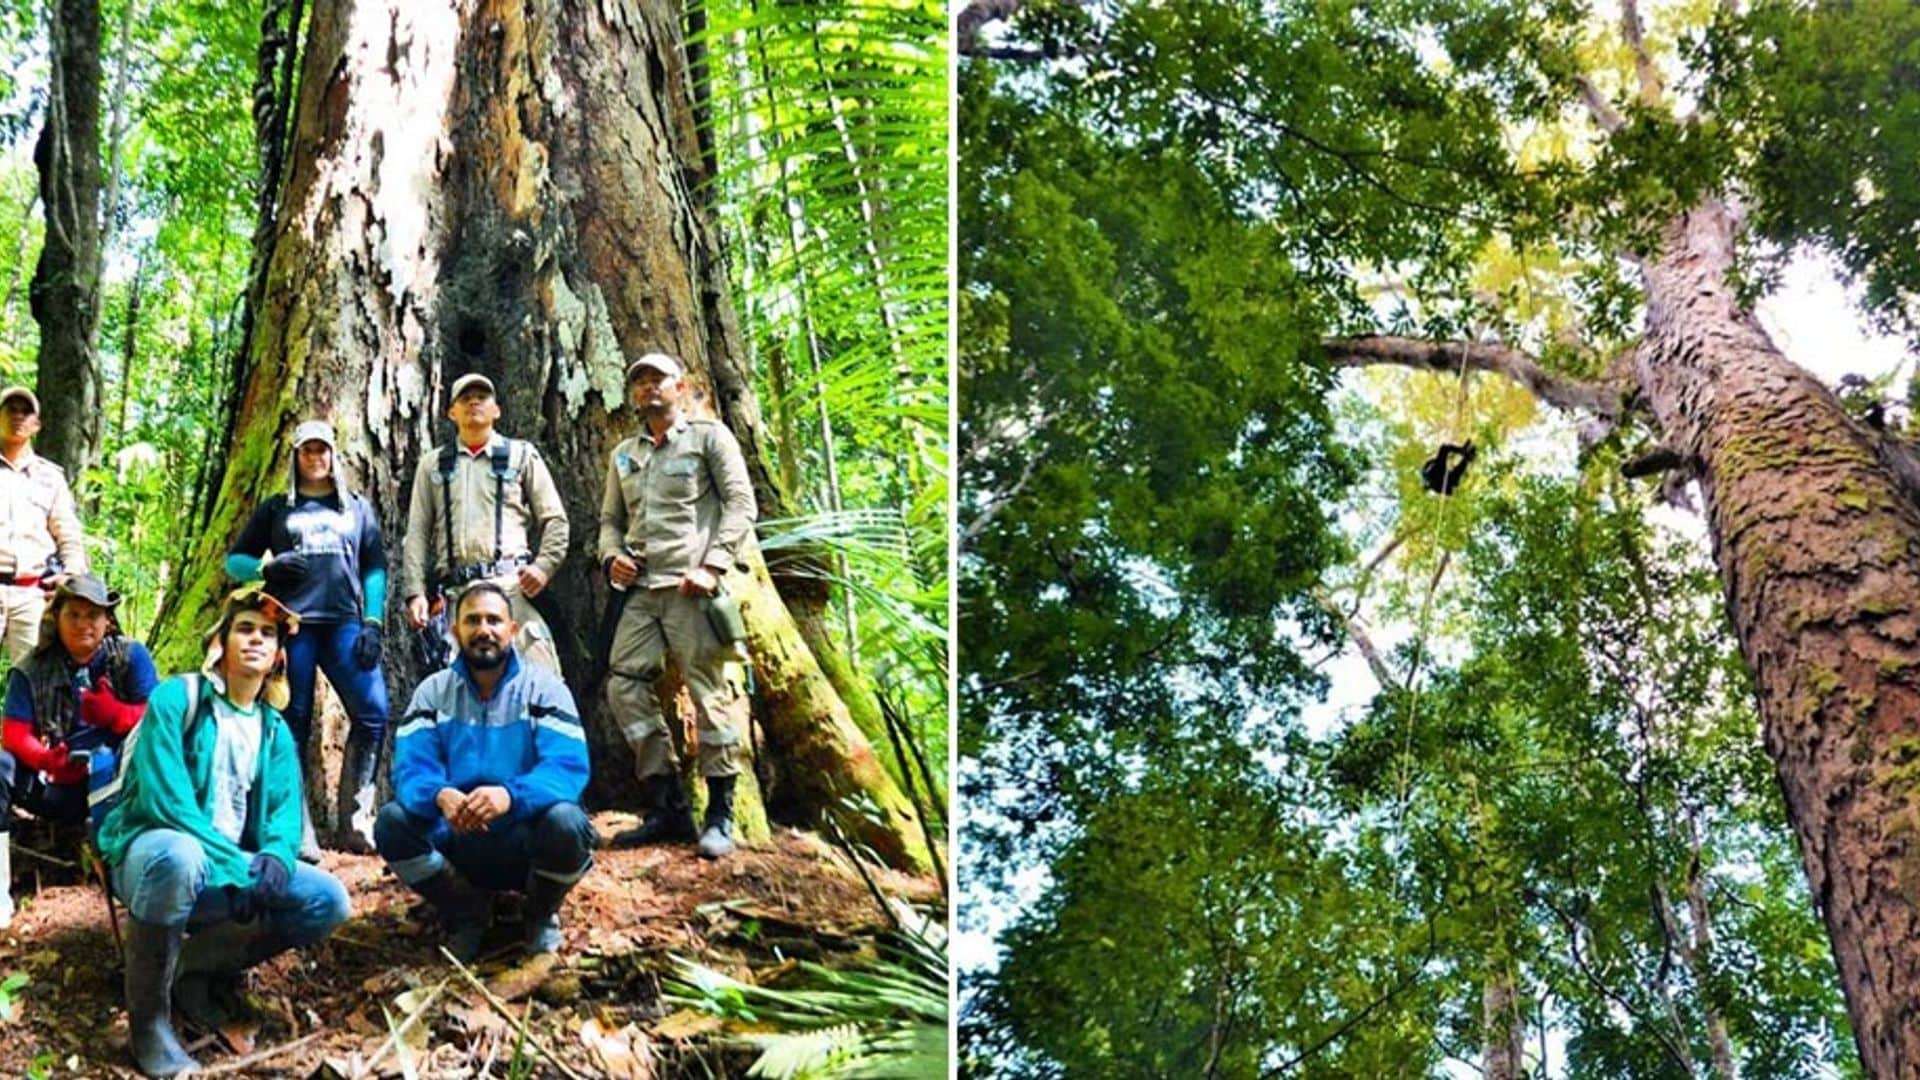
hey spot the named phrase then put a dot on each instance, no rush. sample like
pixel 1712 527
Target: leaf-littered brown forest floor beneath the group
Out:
pixel 596 1010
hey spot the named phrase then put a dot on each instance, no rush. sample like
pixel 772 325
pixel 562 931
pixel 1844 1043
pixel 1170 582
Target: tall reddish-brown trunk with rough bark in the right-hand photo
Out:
pixel 1817 547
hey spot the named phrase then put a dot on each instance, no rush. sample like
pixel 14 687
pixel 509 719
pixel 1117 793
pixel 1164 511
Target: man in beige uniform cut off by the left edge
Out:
pixel 39 528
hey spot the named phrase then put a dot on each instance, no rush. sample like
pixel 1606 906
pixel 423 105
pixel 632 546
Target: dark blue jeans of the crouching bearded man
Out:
pixel 556 845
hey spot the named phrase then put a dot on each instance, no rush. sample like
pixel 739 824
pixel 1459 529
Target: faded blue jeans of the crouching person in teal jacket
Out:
pixel 164 883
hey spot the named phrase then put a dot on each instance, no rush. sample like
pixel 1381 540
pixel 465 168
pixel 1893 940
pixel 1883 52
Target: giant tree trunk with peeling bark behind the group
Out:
pixel 496 187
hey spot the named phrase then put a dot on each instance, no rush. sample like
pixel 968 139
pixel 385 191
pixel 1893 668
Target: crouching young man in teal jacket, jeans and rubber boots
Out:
pixel 204 835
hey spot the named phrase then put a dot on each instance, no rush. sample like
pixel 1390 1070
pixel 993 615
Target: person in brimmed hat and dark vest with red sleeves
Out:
pixel 68 708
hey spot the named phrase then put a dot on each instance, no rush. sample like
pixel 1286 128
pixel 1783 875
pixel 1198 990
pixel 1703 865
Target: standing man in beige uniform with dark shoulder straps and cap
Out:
pixel 473 514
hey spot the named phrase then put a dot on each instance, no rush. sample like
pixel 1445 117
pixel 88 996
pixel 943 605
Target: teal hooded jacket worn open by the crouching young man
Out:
pixel 168 783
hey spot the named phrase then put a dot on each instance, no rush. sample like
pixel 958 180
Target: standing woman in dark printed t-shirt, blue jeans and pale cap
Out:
pixel 320 551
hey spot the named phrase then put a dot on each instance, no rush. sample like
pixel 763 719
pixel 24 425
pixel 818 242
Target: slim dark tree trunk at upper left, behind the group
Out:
pixel 66 282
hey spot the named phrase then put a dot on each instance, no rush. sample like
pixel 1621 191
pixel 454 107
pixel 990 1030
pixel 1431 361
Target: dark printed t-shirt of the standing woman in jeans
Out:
pixel 341 545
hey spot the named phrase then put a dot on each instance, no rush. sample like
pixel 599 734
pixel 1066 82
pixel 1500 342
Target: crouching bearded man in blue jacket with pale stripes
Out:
pixel 489 768
